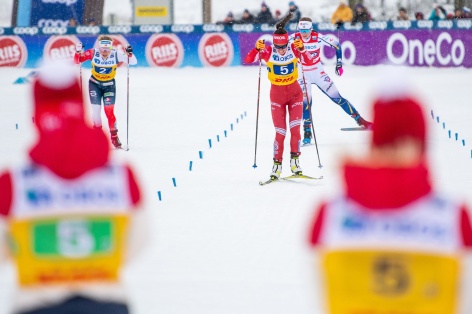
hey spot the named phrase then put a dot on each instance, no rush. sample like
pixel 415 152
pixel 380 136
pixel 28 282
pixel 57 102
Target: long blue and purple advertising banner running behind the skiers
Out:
pixel 210 45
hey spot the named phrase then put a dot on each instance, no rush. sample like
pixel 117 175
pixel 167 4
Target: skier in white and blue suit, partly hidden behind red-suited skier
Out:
pixel 314 73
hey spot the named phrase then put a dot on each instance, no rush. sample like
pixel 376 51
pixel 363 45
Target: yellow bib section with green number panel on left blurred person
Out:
pixel 68 250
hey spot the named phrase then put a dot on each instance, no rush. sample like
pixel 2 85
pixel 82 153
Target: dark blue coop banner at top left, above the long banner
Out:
pixel 56 13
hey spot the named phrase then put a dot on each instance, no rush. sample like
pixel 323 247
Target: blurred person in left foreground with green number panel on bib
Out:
pixel 71 215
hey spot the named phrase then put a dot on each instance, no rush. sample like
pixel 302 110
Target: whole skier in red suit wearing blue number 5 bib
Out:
pixel 285 93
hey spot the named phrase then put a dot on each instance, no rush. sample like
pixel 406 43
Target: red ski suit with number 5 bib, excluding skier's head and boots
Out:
pixel 285 94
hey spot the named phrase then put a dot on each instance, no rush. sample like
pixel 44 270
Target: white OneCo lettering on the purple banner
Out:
pixel 444 50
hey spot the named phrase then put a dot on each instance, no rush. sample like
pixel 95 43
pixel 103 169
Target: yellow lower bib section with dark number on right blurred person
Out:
pixel 375 282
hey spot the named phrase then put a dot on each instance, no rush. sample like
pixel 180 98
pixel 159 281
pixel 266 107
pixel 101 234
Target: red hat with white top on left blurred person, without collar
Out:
pixel 57 96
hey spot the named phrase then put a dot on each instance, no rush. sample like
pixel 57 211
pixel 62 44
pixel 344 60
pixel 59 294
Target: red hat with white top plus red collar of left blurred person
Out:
pixel 66 145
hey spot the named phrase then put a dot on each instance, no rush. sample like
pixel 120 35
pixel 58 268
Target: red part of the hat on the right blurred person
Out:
pixel 396 118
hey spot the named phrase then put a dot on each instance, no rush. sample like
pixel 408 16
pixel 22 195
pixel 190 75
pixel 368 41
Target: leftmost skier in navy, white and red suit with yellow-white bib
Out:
pixel 105 60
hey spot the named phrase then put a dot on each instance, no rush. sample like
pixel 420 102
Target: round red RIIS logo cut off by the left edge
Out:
pixel 13 52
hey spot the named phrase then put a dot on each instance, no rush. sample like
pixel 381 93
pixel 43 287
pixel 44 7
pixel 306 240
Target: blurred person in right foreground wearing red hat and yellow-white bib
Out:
pixel 391 243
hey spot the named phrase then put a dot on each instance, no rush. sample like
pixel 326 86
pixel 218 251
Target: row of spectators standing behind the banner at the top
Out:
pixel 344 14
